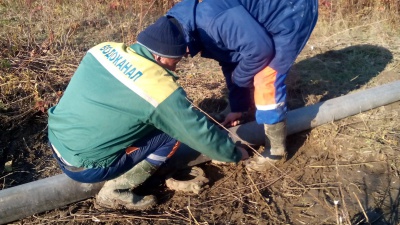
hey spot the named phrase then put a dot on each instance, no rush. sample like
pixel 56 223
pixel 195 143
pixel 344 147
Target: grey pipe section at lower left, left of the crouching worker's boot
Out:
pixel 42 195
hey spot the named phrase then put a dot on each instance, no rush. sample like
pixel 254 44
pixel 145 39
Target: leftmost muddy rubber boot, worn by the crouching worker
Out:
pixel 117 193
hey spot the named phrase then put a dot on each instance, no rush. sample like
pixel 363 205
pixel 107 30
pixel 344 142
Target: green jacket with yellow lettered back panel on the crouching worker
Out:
pixel 117 96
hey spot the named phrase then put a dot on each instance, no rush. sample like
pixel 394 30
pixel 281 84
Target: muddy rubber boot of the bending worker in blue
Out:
pixel 274 150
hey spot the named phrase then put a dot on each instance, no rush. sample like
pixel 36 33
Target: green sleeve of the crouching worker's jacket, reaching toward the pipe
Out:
pixel 176 117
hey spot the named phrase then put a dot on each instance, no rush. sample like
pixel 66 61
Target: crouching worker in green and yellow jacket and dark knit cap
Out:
pixel 123 115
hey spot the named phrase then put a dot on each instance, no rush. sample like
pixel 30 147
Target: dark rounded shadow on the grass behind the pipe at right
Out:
pixel 335 73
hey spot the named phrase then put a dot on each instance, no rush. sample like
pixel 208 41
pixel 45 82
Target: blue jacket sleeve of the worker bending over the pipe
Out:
pixel 239 32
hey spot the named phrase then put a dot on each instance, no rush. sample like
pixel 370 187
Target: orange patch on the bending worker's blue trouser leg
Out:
pixel 264 88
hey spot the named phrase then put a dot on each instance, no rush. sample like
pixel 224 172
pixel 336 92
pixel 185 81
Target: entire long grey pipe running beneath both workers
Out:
pixel 53 192
